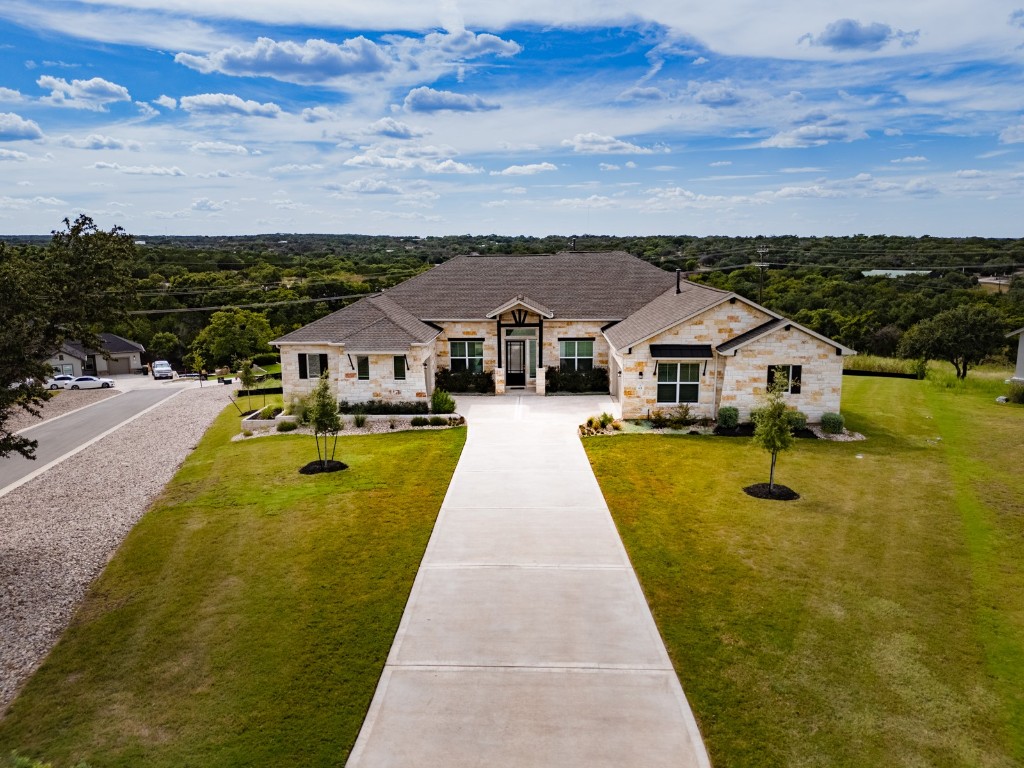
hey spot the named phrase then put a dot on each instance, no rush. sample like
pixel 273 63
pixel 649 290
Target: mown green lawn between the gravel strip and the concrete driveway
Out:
pixel 247 618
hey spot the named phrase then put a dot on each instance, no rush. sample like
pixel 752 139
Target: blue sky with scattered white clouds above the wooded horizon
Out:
pixel 183 117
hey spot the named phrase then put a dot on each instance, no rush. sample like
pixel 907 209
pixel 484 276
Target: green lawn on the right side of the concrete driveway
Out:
pixel 879 621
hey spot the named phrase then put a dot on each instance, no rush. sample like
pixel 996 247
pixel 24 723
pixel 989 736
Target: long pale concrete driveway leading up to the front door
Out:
pixel 527 641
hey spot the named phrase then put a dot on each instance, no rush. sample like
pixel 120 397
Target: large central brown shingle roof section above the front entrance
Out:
pixel 577 285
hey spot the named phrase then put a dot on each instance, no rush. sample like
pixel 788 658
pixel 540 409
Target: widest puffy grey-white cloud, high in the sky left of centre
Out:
pixel 314 62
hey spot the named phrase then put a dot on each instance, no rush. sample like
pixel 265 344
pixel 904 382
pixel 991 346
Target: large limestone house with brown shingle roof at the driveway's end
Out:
pixel 664 340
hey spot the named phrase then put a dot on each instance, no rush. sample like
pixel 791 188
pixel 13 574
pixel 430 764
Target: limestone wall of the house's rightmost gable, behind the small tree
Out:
pixel 822 378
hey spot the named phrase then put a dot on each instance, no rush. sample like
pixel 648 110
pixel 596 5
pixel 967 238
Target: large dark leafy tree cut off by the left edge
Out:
pixel 69 290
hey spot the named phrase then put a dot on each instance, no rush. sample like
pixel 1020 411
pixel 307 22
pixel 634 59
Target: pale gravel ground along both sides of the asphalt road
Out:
pixel 59 531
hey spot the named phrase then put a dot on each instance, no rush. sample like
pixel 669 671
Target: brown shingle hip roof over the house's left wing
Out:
pixel 375 324
